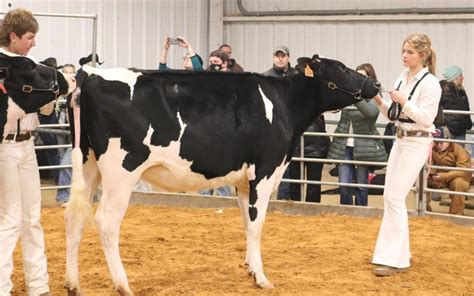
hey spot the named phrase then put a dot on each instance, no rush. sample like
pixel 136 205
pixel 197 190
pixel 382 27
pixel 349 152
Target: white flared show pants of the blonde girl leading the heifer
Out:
pixel 406 159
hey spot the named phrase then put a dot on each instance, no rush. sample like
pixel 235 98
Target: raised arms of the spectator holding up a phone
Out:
pixel 192 61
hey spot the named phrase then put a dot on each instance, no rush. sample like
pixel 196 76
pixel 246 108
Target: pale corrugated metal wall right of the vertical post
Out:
pixel 353 40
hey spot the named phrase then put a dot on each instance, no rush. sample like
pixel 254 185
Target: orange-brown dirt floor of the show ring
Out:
pixel 171 250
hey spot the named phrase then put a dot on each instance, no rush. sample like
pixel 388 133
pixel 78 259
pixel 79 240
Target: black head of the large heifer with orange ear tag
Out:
pixel 339 86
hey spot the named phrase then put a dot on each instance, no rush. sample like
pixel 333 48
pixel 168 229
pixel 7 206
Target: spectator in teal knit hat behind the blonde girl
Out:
pixel 454 97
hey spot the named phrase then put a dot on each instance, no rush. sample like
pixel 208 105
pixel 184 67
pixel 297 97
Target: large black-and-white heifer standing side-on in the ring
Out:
pixel 185 131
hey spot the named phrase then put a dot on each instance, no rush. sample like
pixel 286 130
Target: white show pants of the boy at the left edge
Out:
pixel 20 206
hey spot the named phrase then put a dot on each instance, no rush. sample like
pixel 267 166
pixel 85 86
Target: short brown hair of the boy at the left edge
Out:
pixel 19 21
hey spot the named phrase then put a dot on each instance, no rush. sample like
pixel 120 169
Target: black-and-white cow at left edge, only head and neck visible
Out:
pixel 26 86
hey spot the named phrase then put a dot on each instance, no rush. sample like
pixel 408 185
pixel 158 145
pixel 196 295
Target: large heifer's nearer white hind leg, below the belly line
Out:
pixel 109 216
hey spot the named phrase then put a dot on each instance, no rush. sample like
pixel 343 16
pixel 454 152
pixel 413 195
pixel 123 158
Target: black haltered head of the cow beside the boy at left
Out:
pixel 32 85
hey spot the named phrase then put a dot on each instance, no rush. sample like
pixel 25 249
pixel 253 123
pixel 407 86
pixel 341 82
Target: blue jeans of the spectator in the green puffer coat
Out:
pixel 349 173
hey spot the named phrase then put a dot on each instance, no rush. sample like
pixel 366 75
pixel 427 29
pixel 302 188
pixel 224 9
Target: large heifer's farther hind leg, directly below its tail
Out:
pixel 79 210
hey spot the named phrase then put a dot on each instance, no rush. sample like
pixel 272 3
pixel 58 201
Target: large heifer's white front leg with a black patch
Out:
pixel 257 210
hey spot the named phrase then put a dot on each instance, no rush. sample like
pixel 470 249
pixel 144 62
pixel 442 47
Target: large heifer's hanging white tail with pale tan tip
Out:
pixel 79 206
